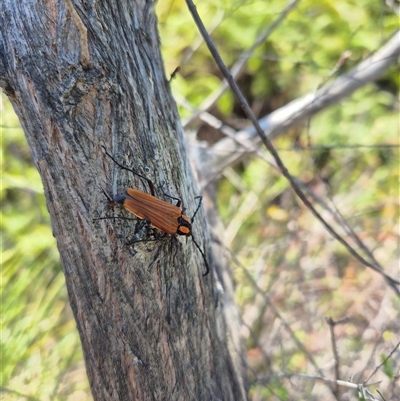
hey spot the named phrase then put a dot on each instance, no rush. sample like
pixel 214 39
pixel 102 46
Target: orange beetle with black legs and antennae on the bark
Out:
pixel 160 214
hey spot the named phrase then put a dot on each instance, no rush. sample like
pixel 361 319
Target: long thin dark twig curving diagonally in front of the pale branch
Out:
pixel 268 144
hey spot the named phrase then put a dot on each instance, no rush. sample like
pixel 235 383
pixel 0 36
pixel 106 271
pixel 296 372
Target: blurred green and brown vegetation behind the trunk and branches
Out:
pixel 290 274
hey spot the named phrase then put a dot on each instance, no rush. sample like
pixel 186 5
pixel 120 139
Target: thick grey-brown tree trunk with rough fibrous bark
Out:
pixel 82 75
